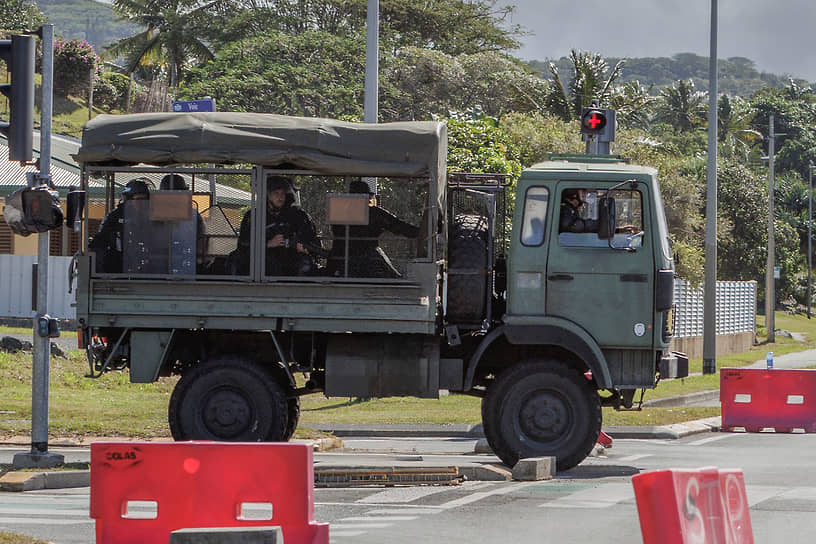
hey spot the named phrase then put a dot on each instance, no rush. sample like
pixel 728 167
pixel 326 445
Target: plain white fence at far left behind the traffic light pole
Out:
pixel 15 287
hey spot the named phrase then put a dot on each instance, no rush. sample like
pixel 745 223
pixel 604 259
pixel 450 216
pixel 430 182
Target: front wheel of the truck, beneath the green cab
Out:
pixel 542 408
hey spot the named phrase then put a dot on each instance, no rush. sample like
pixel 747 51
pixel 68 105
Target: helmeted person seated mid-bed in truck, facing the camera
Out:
pixel 289 234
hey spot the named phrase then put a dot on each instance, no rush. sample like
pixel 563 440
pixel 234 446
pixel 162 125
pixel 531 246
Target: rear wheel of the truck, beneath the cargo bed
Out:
pixel 231 400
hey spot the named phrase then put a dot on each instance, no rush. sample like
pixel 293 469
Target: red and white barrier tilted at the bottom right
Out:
pixel 684 506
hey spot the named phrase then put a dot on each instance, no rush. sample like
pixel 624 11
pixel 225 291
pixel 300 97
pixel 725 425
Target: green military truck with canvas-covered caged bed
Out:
pixel 491 299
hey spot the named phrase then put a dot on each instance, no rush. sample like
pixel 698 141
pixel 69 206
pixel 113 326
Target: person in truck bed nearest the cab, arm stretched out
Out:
pixel 366 257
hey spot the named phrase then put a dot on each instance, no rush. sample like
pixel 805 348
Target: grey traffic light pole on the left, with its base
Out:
pixel 39 456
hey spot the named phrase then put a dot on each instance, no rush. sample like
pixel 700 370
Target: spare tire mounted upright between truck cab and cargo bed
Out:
pixel 467 269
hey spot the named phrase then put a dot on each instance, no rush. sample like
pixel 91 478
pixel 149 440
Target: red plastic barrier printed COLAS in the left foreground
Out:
pixel 141 492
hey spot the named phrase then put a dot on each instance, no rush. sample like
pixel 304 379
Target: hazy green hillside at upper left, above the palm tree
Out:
pixel 85 20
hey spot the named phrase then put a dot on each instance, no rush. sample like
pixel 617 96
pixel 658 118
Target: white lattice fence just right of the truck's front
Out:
pixel 736 308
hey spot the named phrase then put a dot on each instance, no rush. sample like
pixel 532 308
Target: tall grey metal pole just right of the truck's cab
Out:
pixel 710 290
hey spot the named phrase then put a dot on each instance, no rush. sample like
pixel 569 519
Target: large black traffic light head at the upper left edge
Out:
pixel 18 52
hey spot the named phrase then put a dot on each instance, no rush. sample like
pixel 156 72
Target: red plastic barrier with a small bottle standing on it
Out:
pixel 756 399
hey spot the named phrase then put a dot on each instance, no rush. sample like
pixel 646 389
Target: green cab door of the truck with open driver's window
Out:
pixel 609 291
